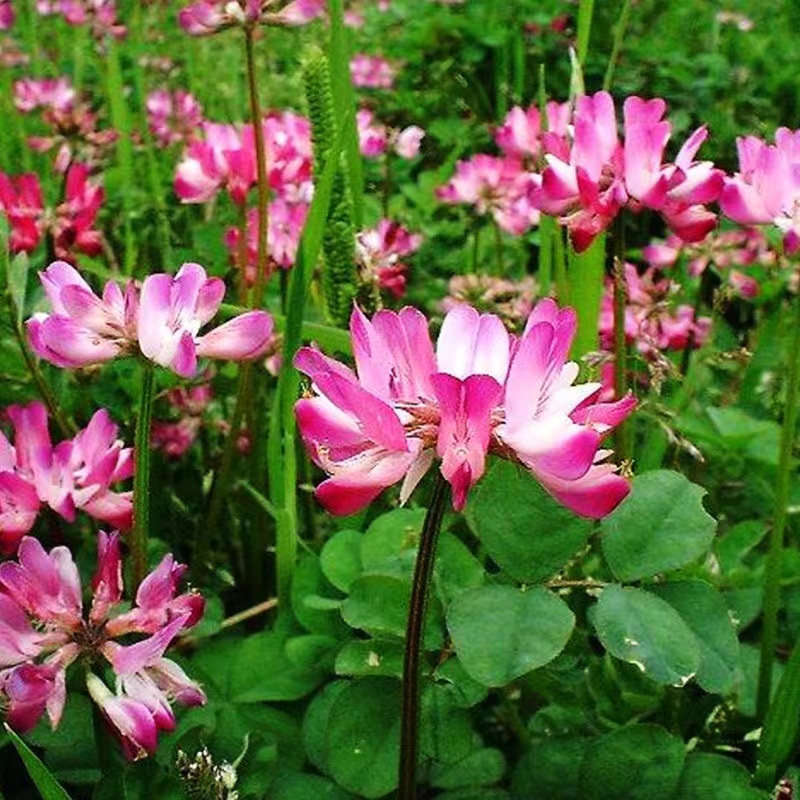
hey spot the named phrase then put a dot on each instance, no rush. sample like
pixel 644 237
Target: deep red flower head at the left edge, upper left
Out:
pixel 70 224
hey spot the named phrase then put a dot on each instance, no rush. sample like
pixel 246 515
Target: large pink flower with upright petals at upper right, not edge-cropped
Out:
pixel 601 176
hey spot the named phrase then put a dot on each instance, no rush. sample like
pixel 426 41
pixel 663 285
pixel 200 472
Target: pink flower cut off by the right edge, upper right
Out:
pixel 766 190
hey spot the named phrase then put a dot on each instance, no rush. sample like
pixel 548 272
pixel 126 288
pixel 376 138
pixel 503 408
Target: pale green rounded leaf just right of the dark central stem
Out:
pixel 501 633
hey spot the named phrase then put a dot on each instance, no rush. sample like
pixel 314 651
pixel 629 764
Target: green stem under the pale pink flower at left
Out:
pixel 141 475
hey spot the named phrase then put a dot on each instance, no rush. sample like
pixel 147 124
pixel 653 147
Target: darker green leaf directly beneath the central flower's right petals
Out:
pixel 525 531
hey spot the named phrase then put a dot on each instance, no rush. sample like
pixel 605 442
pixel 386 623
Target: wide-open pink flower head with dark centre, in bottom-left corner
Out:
pixel 43 631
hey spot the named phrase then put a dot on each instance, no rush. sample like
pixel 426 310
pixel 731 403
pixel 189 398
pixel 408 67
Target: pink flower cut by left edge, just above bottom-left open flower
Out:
pixel 75 474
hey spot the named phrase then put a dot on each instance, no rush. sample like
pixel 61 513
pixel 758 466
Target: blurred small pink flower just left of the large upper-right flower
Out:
pixel 497 186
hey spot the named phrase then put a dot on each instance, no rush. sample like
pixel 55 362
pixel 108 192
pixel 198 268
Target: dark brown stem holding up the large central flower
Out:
pixel 423 571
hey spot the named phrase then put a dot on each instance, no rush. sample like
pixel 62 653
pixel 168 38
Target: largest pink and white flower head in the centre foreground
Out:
pixel 481 391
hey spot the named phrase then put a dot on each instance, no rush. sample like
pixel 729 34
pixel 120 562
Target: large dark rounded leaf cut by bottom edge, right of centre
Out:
pixel 640 762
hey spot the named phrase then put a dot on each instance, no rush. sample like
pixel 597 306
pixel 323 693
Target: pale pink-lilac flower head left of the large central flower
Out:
pixel 162 321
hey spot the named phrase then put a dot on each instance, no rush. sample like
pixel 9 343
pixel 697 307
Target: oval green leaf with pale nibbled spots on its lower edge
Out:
pixel 638 627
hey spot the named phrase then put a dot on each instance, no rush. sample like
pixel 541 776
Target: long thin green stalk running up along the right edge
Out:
pixel 772 575
